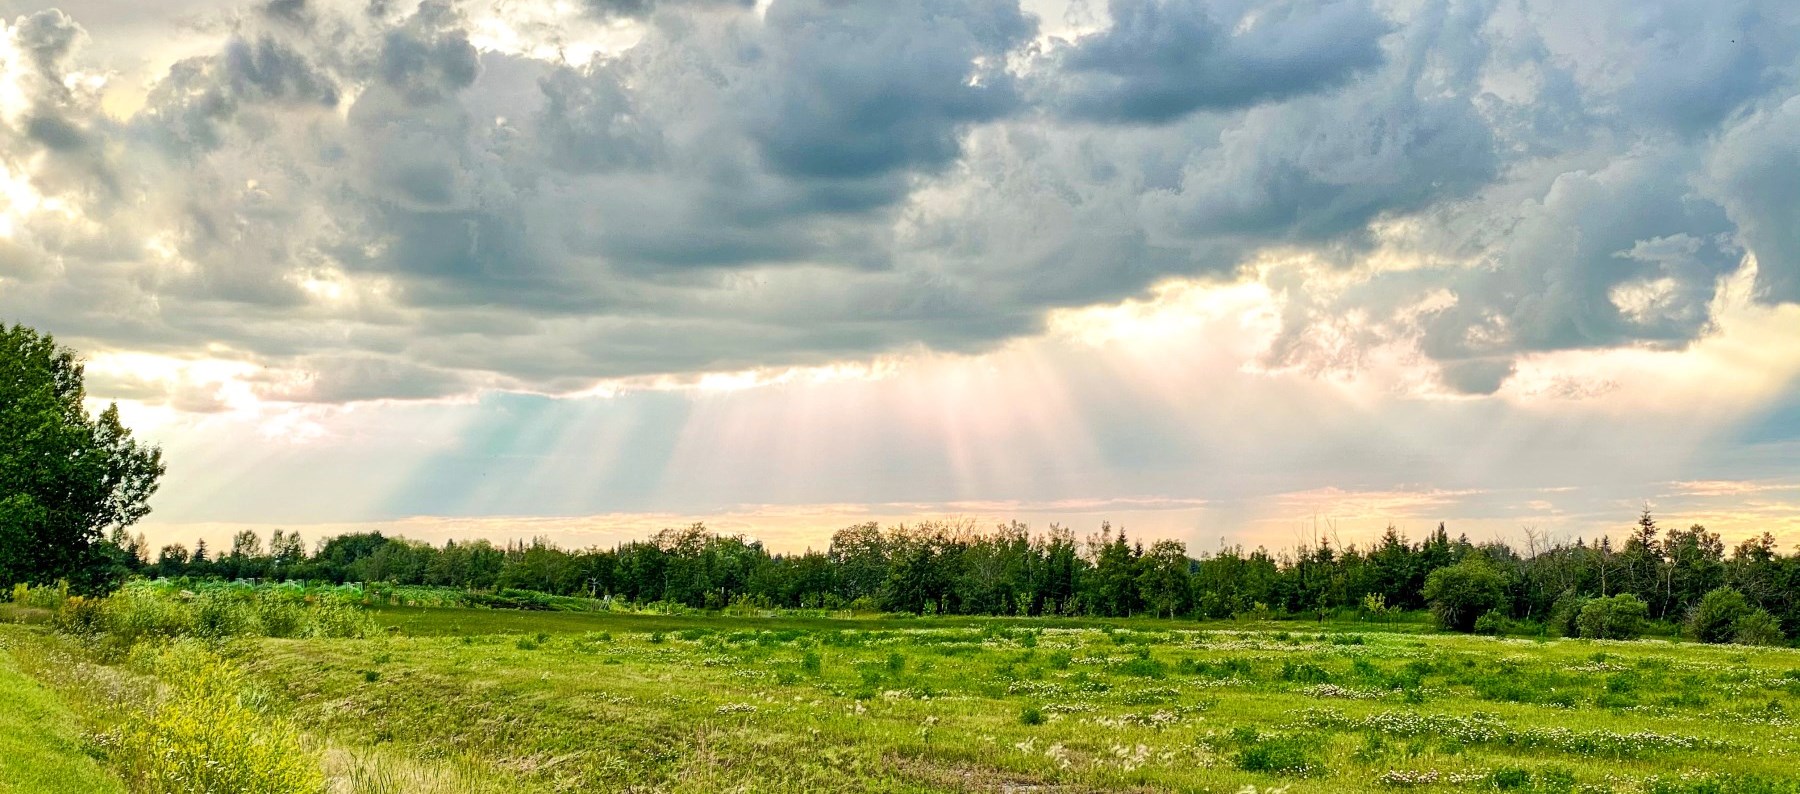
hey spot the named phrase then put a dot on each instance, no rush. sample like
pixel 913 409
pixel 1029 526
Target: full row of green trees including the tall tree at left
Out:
pixel 67 476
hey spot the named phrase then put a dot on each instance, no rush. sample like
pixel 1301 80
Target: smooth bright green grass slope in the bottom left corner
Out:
pixel 40 748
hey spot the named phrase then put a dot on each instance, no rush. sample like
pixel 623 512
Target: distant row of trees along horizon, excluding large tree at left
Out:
pixel 955 568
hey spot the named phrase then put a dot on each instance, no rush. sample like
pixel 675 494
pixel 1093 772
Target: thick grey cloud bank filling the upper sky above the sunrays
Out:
pixel 395 201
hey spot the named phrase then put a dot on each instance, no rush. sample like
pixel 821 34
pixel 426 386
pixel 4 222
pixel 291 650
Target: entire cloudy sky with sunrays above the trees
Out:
pixel 1232 273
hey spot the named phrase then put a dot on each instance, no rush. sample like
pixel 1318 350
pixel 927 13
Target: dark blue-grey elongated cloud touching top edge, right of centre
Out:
pixel 1162 60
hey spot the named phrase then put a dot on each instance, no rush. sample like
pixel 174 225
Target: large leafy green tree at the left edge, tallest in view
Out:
pixel 66 476
